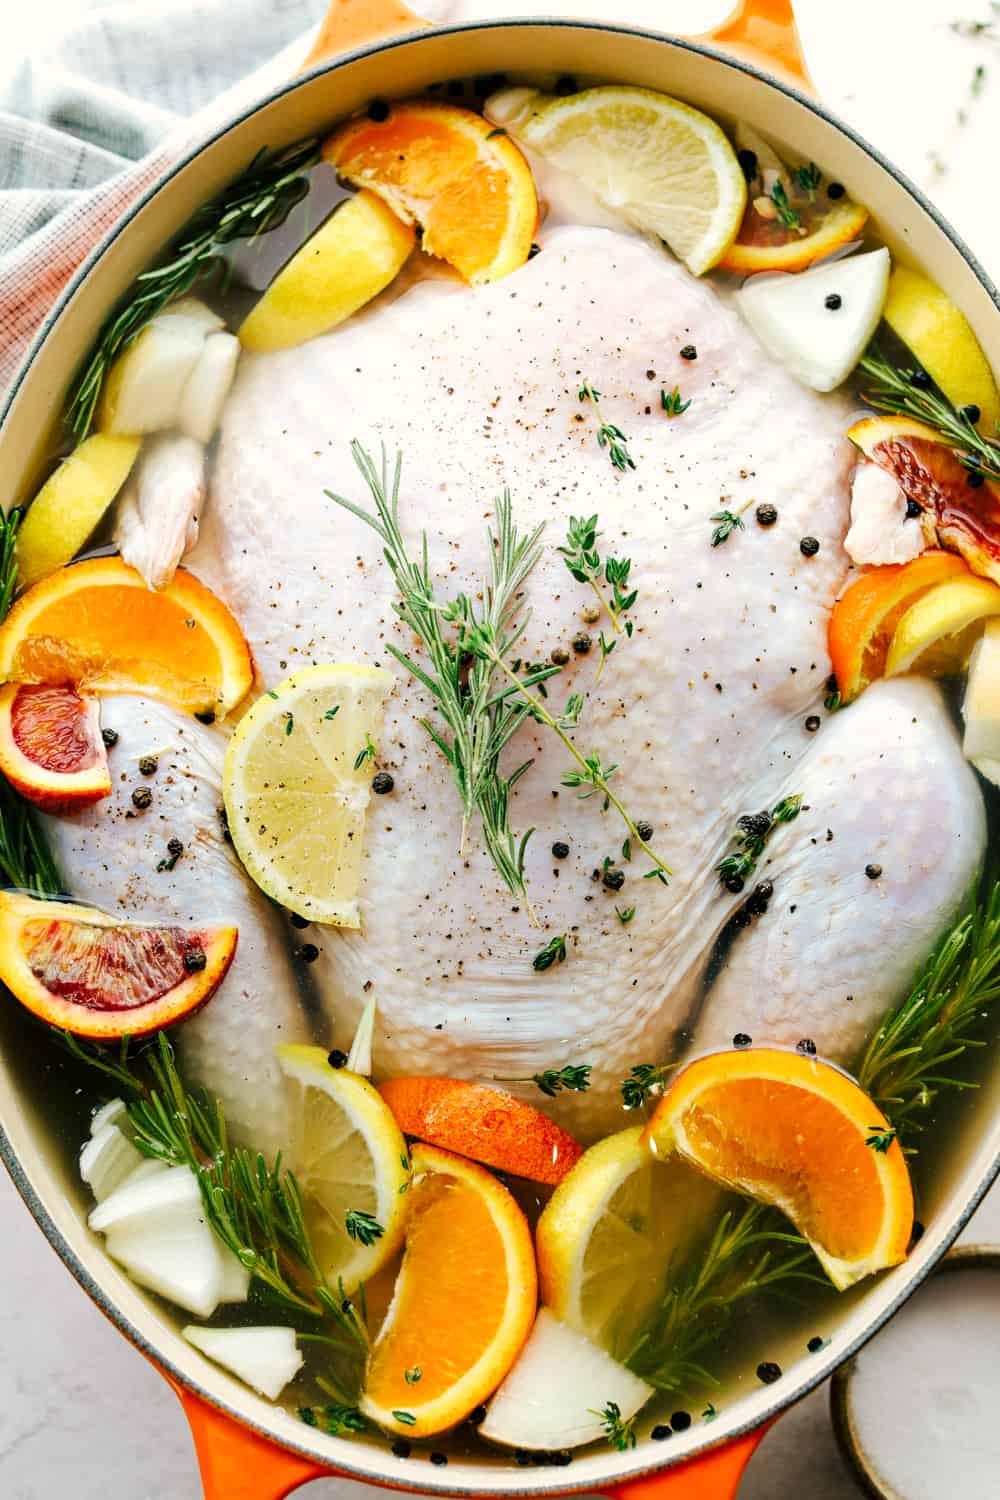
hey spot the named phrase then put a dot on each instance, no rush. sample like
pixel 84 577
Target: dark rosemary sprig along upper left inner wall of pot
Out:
pixel 257 202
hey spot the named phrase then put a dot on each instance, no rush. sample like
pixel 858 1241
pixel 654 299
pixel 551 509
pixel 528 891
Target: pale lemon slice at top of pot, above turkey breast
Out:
pixel 665 167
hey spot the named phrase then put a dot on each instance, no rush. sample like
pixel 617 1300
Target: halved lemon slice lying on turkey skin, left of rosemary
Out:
pixel 296 794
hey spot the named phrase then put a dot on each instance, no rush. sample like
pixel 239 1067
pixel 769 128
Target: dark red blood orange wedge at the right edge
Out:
pixel 963 506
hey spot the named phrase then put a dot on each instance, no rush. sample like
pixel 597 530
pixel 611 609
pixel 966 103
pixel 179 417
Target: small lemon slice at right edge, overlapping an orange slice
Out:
pixel 936 635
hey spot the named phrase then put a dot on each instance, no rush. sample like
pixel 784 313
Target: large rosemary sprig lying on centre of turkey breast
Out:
pixel 481 718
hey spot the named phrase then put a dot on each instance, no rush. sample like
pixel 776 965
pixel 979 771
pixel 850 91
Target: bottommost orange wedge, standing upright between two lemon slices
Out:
pixel 464 1303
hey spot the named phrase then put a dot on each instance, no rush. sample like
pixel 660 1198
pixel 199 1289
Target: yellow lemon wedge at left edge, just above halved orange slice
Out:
pixel 71 503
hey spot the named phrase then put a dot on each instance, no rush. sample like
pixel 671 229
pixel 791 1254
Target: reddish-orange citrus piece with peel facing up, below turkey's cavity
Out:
pixel 490 1126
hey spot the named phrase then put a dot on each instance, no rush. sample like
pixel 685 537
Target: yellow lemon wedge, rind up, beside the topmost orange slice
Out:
pixel 350 260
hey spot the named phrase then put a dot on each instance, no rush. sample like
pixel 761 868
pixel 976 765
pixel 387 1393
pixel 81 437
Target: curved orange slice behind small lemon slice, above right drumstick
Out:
pixel 864 619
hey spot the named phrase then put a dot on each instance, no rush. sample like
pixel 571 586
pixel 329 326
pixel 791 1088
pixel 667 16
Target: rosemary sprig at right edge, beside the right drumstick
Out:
pixel 908 1063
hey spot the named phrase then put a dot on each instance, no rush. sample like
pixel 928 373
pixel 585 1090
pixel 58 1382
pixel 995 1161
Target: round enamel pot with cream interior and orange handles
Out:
pixel 749 70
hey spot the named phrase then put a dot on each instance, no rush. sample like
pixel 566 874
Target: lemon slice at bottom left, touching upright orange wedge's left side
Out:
pixel 352 1163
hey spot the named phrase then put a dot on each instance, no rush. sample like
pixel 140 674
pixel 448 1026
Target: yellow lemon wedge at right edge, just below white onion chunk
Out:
pixel 939 337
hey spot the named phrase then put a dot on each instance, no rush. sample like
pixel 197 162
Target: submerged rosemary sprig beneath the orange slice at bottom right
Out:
pixel 750 1252
